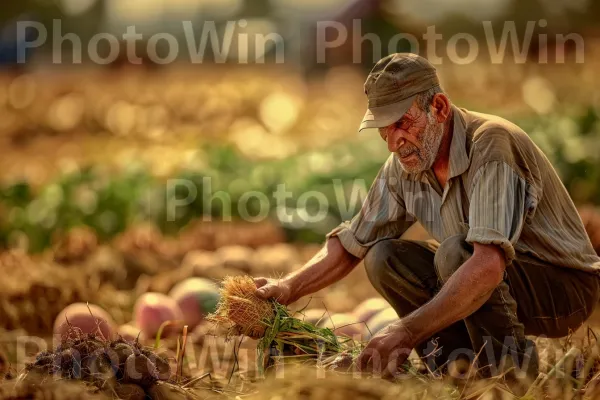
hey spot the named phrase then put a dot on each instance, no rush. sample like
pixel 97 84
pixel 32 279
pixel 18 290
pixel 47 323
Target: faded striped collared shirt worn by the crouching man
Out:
pixel 501 190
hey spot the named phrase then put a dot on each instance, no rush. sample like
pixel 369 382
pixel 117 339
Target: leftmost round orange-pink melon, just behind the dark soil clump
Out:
pixel 88 318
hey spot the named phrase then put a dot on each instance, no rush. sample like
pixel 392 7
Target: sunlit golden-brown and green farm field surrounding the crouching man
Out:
pixel 95 184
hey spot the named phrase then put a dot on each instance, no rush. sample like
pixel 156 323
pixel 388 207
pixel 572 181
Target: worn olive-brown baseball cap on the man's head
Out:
pixel 392 86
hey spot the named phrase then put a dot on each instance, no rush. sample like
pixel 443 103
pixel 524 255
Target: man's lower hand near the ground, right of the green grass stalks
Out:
pixel 386 351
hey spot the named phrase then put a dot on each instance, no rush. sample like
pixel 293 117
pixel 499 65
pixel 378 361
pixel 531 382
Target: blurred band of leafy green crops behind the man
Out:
pixel 324 187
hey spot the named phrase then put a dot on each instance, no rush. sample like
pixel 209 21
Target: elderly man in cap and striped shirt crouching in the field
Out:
pixel 513 257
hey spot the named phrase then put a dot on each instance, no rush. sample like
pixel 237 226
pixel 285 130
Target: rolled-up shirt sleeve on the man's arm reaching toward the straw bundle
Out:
pixel 382 216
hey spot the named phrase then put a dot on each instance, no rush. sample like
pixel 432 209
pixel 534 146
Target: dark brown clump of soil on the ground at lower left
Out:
pixel 117 367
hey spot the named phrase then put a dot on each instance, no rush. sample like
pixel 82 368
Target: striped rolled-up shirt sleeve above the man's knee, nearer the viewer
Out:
pixel 497 207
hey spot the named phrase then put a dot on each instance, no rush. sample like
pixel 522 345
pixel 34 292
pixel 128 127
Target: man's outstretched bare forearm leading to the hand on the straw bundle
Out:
pixel 328 266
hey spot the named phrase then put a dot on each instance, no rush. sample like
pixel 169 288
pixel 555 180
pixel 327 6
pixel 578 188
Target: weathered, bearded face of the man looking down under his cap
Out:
pixel 415 138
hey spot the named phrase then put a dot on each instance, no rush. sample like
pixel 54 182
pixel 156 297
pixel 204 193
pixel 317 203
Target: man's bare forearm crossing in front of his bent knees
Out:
pixel 466 290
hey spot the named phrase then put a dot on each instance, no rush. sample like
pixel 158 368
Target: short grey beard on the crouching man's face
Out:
pixel 424 157
